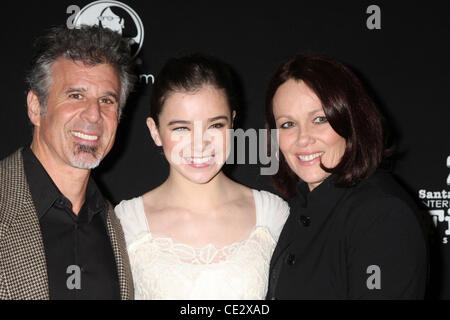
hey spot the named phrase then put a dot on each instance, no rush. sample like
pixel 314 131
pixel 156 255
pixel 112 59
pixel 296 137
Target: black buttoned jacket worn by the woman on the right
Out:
pixel 363 242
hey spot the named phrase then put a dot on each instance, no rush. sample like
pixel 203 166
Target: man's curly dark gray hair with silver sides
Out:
pixel 90 45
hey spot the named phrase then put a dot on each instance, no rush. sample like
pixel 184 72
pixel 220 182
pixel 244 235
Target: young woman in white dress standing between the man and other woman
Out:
pixel 199 235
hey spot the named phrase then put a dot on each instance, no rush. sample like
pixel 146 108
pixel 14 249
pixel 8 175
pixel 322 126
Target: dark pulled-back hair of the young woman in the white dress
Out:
pixel 189 74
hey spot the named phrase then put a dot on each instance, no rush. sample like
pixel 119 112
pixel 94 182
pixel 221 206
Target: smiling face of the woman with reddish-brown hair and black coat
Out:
pixel 306 137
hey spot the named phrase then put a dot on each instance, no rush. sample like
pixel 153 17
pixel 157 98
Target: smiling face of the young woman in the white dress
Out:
pixel 193 132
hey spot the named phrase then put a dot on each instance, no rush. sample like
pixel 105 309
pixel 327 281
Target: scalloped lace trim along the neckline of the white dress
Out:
pixel 185 253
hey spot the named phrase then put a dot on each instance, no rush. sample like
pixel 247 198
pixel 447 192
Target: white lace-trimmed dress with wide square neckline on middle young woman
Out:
pixel 163 269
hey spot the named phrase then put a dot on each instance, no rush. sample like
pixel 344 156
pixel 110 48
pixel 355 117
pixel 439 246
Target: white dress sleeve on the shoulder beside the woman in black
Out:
pixel 271 212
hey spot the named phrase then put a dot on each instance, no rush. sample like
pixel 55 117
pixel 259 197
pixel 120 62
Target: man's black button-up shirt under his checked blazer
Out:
pixel 79 255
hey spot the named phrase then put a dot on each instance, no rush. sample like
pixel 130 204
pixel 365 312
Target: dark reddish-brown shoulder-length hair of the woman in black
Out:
pixel 349 110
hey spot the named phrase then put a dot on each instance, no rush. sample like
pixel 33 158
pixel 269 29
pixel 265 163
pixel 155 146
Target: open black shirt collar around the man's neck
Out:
pixel 45 193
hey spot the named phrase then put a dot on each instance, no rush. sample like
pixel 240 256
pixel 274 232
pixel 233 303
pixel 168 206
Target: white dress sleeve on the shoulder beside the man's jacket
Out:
pixel 132 218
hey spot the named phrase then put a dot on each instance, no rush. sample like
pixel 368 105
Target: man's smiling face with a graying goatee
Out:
pixel 80 123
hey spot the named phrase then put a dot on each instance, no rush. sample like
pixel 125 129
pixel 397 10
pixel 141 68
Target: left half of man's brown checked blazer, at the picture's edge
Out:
pixel 22 256
